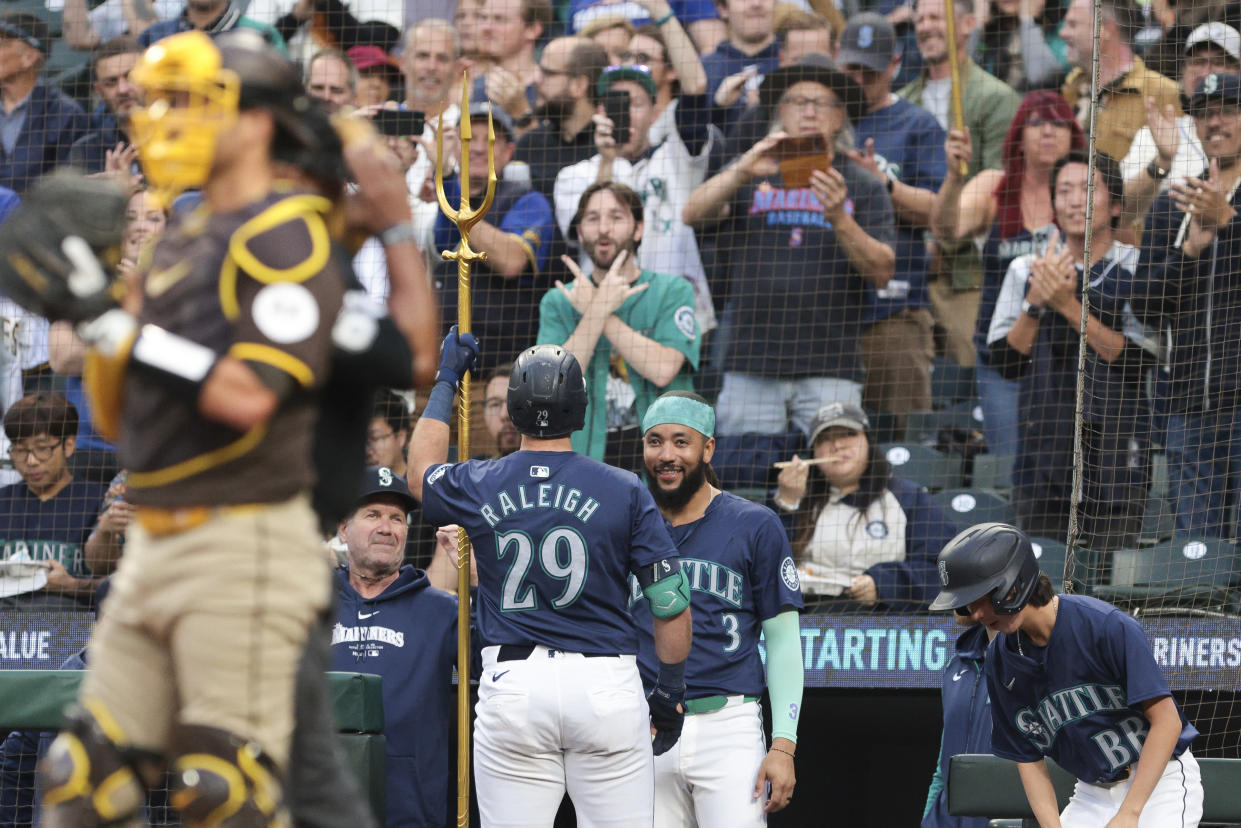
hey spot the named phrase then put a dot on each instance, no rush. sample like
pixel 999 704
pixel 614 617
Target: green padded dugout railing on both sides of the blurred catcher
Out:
pixel 35 701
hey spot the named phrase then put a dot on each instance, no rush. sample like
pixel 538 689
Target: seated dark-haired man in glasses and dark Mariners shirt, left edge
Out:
pixel 48 517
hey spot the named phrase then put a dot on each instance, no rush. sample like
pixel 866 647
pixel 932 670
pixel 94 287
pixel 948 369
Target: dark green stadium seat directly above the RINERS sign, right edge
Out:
pixel 1181 577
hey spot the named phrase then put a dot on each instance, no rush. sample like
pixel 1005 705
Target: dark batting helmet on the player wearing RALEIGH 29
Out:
pixel 547 393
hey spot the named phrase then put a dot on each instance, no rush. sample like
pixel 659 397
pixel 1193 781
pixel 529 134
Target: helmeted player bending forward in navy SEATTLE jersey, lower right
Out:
pixel 1073 678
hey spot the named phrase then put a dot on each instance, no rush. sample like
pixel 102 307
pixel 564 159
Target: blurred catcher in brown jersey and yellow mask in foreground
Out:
pixel 213 392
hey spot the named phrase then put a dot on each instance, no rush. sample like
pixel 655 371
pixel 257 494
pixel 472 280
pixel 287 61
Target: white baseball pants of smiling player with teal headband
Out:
pixel 708 779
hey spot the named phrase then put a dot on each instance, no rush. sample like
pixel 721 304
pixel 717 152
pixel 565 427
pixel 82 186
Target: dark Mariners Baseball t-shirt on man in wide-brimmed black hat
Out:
pixel 799 300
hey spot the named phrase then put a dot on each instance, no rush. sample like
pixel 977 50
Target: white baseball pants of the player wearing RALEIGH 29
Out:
pixel 562 722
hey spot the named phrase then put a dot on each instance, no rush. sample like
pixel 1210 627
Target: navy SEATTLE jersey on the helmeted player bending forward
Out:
pixel 1079 700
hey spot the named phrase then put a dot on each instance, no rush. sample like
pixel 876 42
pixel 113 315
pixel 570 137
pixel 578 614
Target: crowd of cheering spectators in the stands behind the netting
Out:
pixel 773 204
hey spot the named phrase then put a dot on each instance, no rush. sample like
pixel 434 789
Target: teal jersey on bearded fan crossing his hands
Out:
pixel 665 313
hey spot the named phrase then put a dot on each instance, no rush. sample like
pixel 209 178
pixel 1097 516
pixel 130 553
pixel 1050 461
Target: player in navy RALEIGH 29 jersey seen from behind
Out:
pixel 557 537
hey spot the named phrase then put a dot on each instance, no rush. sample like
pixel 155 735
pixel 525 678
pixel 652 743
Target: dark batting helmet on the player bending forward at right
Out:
pixel 993 560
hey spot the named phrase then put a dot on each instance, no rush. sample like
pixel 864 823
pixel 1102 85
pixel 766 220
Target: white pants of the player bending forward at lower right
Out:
pixel 1177 801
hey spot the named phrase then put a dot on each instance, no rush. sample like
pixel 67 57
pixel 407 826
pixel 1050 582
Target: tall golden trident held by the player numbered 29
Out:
pixel 465 218
